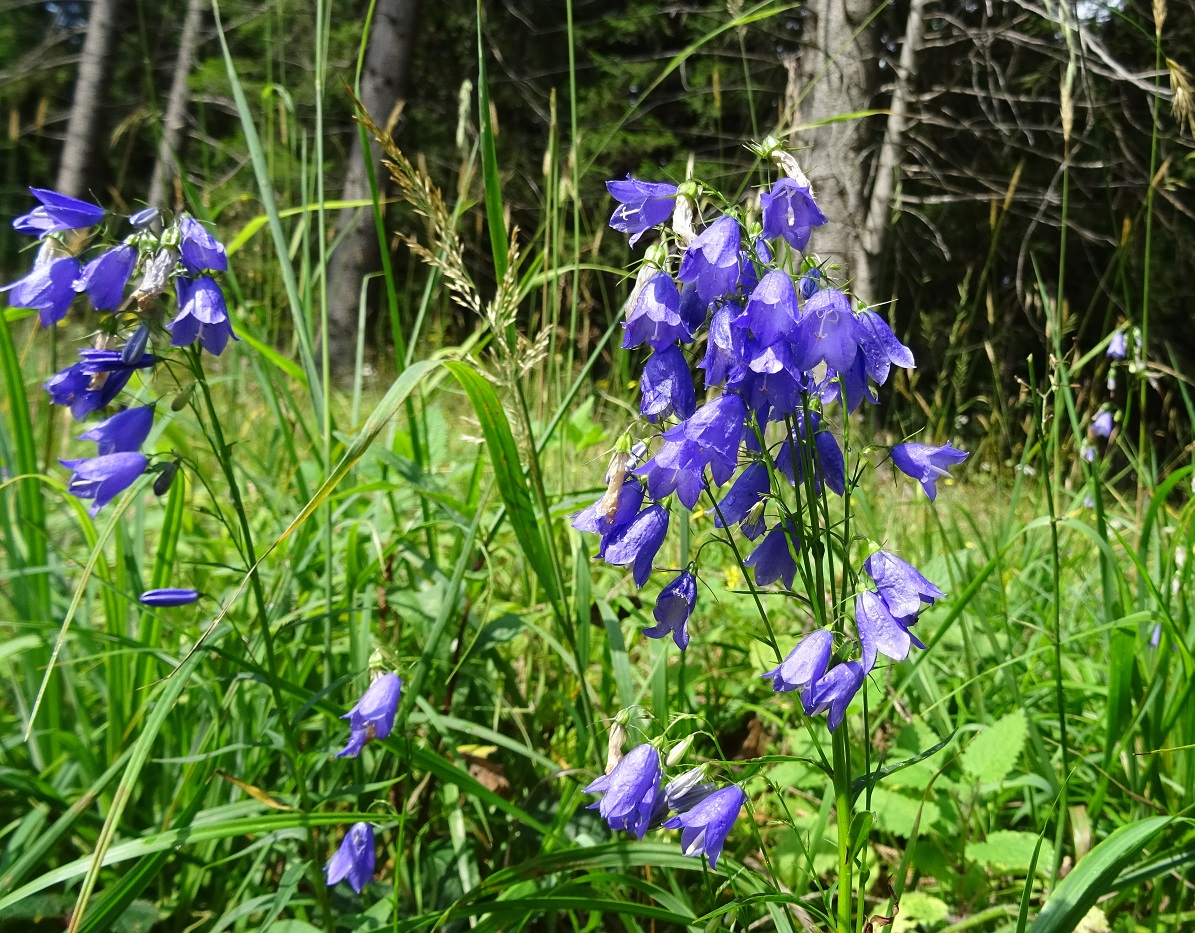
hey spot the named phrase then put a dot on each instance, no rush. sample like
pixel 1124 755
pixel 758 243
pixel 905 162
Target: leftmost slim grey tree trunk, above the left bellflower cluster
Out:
pixel 91 90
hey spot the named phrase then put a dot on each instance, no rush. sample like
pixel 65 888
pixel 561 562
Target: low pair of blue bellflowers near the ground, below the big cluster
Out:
pixel 633 801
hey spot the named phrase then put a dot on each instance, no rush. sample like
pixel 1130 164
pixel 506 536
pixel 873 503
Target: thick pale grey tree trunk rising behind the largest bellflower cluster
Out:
pixel 837 76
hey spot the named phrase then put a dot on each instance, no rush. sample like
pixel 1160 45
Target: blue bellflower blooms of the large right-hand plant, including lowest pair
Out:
pixel 783 351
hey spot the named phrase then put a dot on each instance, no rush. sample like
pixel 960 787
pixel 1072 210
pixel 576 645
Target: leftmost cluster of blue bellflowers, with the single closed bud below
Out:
pixel 131 283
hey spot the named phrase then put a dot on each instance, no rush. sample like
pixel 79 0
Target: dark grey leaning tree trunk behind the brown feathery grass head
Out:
pixel 383 85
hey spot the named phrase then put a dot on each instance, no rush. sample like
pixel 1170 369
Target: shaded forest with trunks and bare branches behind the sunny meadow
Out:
pixel 935 132
